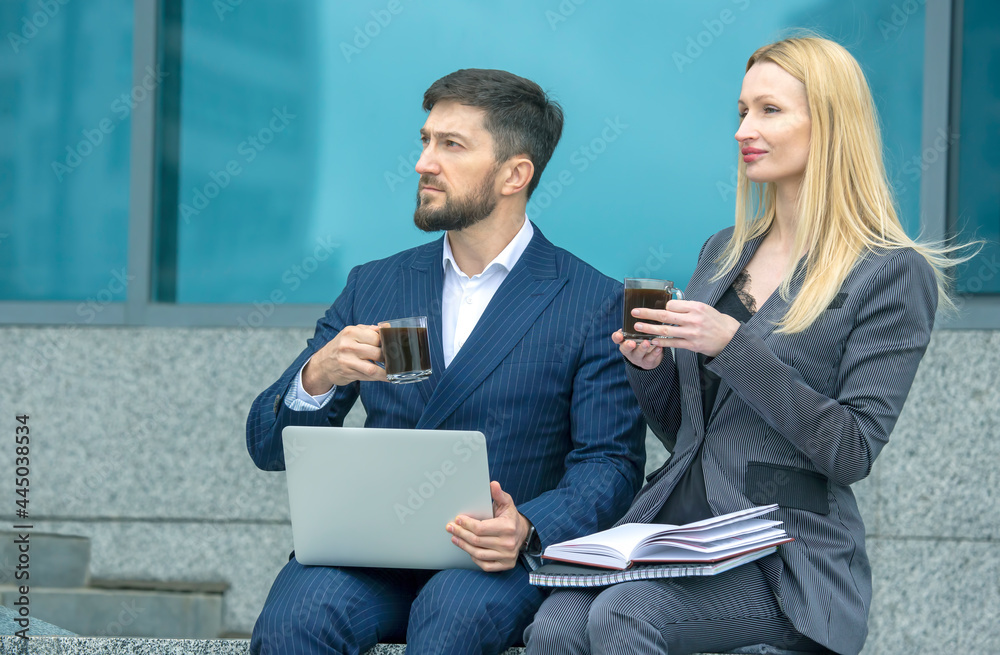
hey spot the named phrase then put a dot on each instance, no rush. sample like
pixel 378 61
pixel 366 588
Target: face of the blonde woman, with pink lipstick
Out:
pixel 774 125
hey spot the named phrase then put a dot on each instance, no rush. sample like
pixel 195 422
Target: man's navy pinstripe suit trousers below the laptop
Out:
pixel 320 609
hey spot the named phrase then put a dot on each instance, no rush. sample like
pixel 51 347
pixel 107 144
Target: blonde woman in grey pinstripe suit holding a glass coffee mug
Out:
pixel 796 348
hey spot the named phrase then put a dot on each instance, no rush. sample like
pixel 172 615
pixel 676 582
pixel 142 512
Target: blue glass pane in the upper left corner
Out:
pixel 65 85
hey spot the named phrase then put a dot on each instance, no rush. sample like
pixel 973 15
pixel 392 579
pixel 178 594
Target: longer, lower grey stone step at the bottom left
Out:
pixel 125 612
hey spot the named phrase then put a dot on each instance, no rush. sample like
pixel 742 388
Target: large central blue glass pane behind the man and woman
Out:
pixel 642 176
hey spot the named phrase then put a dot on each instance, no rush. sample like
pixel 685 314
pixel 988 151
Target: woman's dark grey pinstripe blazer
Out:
pixel 797 419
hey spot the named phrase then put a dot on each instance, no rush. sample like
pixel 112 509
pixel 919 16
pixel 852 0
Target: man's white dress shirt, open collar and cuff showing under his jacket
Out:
pixel 463 301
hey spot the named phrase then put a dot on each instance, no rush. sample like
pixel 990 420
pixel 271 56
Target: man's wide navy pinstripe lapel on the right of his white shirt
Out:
pixel 523 295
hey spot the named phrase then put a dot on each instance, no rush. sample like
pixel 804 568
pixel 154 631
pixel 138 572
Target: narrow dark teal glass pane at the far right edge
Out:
pixel 978 211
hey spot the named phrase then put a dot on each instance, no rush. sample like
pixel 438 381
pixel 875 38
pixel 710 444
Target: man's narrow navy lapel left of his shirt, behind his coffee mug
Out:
pixel 422 281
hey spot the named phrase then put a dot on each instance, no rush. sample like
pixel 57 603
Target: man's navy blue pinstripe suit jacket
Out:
pixel 539 376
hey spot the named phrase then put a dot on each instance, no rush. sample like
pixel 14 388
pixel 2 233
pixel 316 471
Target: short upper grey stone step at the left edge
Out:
pixel 56 560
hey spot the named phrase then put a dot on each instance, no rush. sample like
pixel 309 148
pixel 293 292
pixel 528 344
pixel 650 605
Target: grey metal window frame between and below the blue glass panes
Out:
pixel 941 98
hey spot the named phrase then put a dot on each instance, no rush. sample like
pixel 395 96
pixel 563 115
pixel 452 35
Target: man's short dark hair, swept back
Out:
pixel 519 115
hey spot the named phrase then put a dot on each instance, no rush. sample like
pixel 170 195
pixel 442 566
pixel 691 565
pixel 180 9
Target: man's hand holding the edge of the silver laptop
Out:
pixel 495 543
